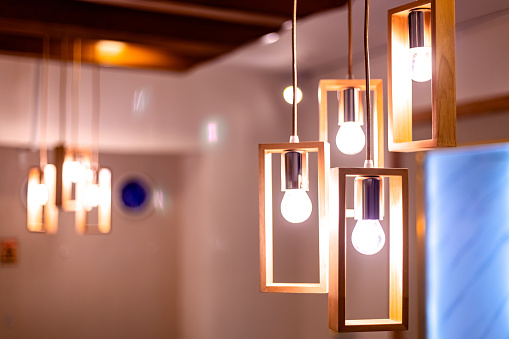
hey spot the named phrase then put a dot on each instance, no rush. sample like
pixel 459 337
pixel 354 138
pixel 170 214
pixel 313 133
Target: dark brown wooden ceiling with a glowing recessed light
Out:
pixel 159 34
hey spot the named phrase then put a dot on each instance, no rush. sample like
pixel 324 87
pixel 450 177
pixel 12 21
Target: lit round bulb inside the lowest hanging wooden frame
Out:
pixel 368 237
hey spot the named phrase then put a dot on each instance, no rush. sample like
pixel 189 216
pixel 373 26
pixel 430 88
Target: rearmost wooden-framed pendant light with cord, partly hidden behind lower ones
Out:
pixel 350 138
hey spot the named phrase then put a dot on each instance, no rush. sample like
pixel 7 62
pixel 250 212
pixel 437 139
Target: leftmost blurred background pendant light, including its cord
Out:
pixel 42 214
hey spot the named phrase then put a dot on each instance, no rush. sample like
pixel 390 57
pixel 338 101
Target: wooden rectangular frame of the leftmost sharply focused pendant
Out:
pixel 265 152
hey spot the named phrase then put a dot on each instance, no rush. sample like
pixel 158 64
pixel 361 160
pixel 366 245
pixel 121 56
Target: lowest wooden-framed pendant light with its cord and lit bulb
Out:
pixel 368 237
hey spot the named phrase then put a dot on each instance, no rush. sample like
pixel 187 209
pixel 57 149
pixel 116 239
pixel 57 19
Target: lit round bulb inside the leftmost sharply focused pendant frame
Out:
pixel 296 206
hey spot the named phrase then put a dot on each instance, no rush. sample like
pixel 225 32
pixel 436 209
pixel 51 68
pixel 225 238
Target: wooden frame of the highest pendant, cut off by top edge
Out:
pixel 443 82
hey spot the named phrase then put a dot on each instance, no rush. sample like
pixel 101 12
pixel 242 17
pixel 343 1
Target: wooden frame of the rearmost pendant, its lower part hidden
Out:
pixel 376 85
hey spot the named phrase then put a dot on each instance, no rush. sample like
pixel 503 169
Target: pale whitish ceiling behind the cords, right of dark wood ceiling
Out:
pixel 322 38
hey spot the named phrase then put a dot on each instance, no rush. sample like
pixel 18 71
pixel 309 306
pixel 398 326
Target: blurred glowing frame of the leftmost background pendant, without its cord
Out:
pixel 42 218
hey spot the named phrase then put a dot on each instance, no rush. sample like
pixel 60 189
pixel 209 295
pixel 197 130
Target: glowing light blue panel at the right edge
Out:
pixel 467 243
